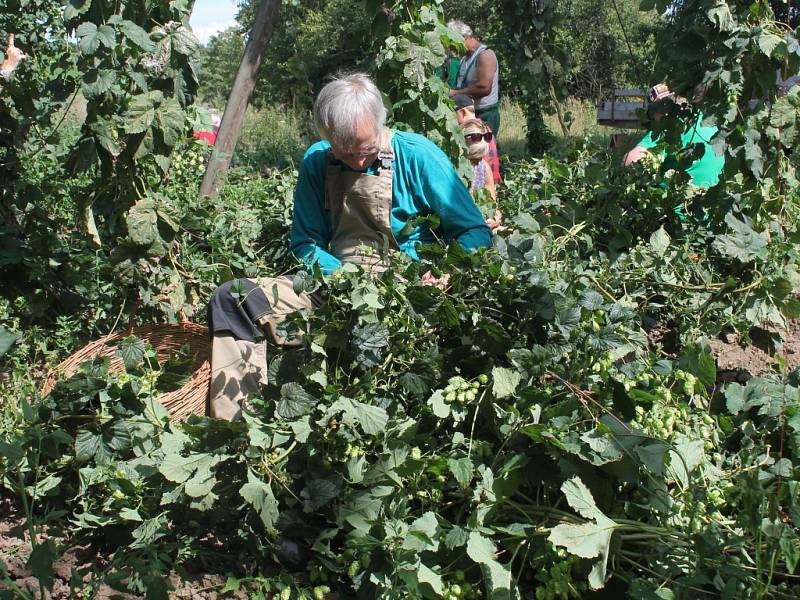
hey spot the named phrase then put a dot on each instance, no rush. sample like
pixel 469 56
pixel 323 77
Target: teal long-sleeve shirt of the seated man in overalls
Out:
pixel 423 182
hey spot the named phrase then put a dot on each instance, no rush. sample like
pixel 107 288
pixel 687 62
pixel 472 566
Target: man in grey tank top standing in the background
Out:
pixel 478 77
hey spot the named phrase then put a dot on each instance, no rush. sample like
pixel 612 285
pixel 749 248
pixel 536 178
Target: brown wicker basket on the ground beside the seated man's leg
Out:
pixel 188 400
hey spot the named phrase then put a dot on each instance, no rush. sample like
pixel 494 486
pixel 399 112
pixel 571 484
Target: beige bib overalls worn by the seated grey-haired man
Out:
pixel 360 207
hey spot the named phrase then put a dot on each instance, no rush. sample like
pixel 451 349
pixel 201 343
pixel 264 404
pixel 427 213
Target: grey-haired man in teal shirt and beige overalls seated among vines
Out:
pixel 358 195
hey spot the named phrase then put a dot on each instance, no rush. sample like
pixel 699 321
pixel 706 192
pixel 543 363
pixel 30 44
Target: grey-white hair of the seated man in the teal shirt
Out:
pixel 343 104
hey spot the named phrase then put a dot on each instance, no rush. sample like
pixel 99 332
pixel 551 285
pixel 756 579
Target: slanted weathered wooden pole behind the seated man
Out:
pixel 236 106
